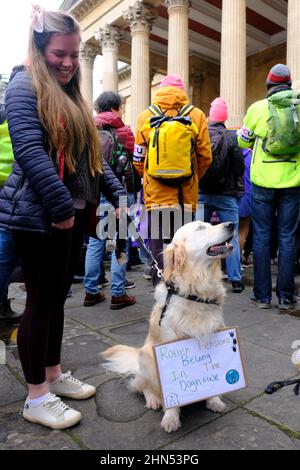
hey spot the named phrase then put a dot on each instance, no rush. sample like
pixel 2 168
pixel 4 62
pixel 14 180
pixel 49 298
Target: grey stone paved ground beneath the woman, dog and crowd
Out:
pixel 118 419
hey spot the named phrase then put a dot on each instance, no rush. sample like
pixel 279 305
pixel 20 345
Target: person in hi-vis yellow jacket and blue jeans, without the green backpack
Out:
pixel 275 192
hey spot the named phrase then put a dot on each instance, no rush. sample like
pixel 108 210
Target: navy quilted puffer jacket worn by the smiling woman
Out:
pixel 34 196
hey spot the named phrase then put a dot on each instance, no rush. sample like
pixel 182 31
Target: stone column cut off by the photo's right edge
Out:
pixel 293 41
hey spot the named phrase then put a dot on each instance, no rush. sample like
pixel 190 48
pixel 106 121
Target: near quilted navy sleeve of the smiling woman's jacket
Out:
pixel 28 141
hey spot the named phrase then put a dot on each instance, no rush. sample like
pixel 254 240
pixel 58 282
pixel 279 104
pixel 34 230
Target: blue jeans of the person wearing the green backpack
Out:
pixel 265 202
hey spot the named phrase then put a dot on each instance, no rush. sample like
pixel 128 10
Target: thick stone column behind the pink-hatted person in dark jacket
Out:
pixel 233 60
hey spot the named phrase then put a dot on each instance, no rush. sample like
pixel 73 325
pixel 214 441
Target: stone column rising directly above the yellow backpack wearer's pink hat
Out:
pixel 178 44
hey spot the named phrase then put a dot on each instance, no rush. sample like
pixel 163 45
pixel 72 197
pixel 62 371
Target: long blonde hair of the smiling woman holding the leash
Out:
pixel 64 114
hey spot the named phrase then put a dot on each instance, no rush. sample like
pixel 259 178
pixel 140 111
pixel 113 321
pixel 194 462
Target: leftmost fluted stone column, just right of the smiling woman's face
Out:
pixel 87 58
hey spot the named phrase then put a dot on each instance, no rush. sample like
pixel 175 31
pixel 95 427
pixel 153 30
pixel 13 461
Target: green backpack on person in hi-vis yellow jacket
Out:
pixel 284 124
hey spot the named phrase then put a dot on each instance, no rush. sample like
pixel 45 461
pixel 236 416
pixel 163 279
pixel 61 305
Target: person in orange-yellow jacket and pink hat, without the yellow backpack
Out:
pixel 158 195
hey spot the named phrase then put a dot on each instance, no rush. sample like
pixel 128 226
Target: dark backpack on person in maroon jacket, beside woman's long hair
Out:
pixel 119 159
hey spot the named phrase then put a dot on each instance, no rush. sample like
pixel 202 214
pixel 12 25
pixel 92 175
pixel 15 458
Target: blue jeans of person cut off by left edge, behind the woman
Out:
pixel 8 260
